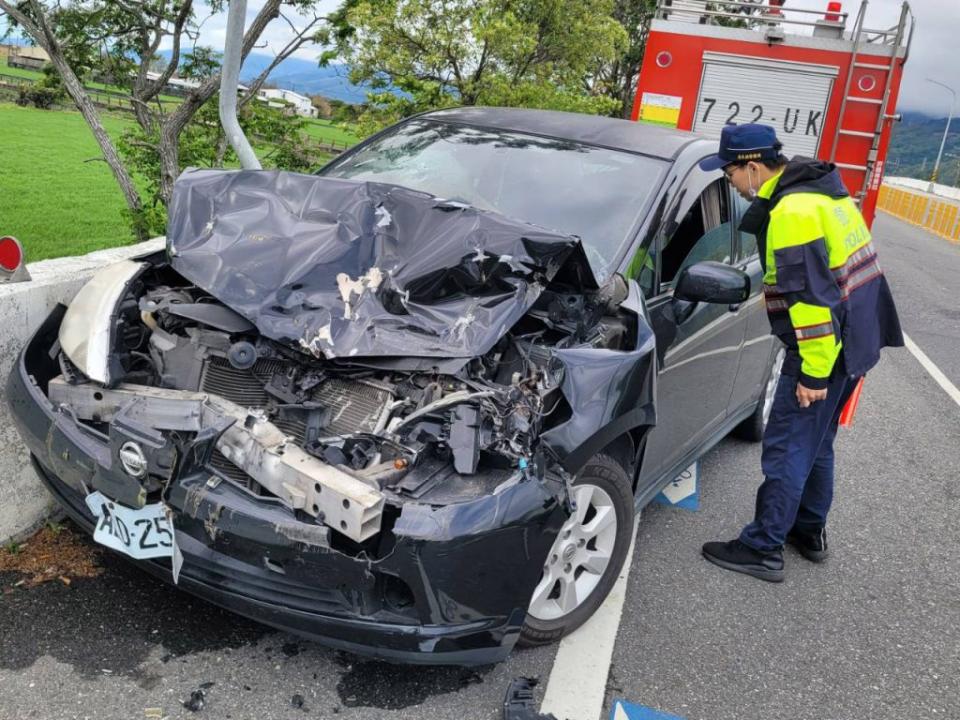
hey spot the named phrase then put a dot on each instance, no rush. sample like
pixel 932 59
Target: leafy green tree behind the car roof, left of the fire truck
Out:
pixel 420 54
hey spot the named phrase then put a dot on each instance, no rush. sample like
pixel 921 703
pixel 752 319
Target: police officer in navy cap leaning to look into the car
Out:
pixel 829 303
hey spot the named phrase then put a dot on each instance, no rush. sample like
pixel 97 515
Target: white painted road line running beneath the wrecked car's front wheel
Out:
pixel 578 680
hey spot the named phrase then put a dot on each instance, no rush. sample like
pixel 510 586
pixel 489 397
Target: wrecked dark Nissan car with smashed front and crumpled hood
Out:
pixel 408 407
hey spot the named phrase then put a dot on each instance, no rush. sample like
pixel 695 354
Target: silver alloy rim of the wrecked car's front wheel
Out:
pixel 579 556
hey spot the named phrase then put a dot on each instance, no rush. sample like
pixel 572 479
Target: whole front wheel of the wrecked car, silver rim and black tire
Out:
pixel 587 556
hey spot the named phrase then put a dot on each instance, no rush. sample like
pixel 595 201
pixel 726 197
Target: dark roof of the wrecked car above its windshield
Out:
pixel 652 140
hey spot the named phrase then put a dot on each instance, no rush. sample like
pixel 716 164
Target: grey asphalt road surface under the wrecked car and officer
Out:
pixel 873 633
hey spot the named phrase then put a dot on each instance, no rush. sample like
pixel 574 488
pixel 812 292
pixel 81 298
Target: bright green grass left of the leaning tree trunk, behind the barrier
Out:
pixel 51 198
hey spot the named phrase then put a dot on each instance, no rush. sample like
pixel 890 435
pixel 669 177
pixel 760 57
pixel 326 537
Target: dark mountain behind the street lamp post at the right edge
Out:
pixel 914 145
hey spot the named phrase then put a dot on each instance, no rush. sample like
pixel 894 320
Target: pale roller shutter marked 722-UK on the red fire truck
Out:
pixel 792 97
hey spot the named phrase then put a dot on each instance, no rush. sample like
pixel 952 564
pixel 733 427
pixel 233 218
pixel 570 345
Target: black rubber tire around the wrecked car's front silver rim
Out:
pixel 608 475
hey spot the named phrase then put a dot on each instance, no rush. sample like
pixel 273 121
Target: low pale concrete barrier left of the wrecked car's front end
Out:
pixel 24 503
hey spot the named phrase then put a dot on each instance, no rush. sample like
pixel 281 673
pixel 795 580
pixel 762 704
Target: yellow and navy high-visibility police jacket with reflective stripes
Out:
pixel 824 290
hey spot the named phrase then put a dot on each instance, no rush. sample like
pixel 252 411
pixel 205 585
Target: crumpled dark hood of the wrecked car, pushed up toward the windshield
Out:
pixel 342 268
